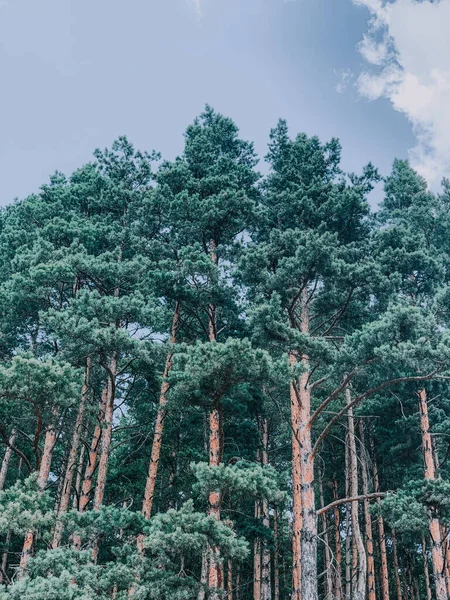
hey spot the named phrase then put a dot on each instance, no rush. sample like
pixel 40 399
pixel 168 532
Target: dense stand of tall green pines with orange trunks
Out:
pixel 215 384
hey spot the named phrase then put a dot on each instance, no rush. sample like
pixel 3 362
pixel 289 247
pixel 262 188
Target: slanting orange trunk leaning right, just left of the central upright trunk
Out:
pixel 159 425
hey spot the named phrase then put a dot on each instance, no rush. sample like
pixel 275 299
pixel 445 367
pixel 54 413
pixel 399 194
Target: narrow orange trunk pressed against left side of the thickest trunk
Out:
pixel 296 492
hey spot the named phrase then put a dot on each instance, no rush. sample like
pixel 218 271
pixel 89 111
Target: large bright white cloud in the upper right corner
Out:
pixel 408 48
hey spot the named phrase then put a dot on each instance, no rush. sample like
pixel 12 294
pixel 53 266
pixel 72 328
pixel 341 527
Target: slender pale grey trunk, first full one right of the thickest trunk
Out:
pixel 360 586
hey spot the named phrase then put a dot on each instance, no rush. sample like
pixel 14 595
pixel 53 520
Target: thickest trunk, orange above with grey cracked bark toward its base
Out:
pixel 309 514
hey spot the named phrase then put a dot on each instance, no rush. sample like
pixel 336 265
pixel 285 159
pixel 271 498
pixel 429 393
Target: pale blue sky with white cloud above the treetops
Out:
pixel 76 74
